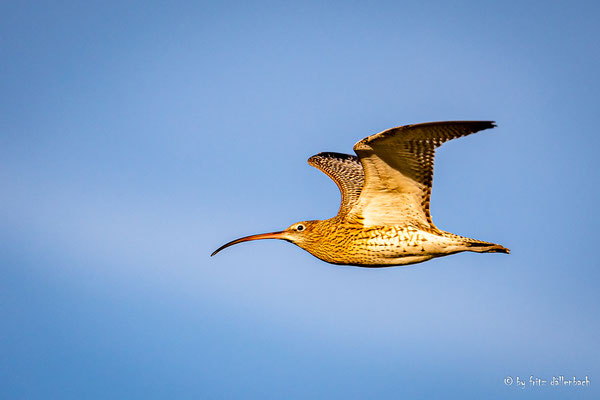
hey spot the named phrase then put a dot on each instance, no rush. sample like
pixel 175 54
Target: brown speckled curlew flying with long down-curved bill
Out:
pixel 384 217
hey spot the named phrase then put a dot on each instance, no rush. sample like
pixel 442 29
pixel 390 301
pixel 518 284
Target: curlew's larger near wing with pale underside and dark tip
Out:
pixel 398 167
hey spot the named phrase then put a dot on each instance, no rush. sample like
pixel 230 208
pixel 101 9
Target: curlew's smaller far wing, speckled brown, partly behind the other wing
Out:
pixel 346 171
